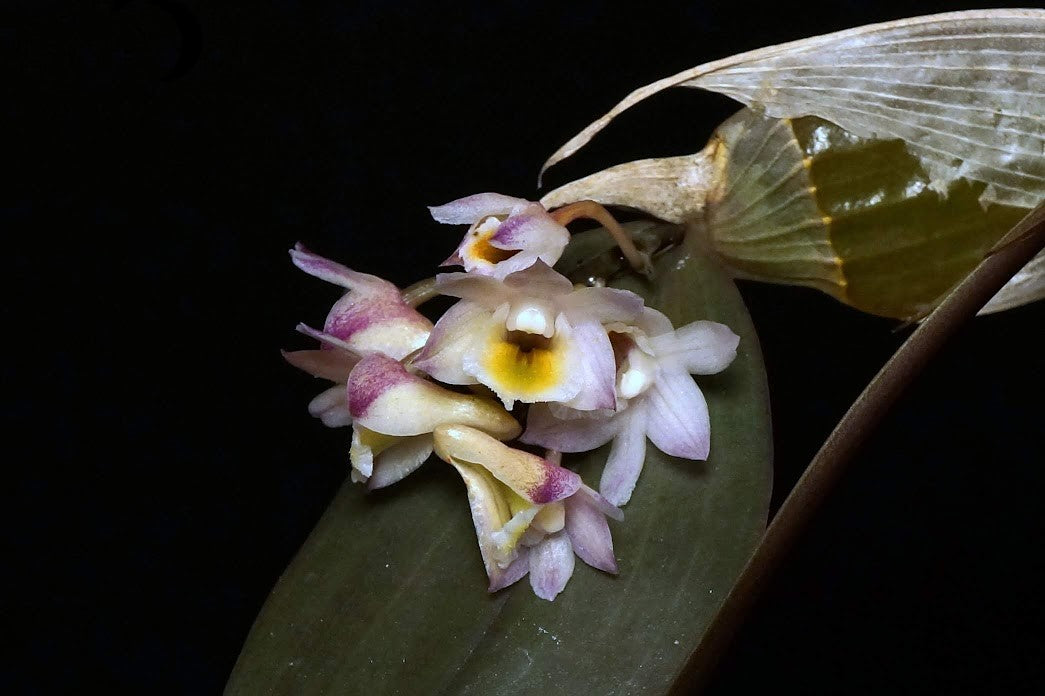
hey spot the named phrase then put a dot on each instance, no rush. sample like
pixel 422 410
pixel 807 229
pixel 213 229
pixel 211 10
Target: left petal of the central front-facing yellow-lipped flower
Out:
pixel 452 340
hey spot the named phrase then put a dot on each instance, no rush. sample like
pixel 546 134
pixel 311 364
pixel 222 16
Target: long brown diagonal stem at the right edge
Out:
pixel 1027 240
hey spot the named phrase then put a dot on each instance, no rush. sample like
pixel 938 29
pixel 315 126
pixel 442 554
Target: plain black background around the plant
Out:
pixel 167 154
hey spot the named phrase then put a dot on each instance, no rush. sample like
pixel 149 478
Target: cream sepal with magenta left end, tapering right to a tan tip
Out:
pixel 383 397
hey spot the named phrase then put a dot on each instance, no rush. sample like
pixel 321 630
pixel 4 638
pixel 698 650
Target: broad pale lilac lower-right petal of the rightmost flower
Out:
pixel 679 424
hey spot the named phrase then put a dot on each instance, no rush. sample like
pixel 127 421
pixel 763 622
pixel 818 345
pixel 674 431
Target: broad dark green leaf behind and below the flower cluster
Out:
pixel 388 596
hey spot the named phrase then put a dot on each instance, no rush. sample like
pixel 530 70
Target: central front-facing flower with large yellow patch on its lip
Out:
pixel 530 338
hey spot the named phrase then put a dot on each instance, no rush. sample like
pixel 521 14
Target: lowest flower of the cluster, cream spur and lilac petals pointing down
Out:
pixel 531 516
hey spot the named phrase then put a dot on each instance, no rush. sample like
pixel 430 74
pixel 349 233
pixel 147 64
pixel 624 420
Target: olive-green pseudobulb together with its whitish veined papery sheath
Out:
pixel 877 165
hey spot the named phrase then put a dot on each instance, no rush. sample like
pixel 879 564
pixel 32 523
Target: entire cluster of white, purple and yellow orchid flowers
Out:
pixel 592 366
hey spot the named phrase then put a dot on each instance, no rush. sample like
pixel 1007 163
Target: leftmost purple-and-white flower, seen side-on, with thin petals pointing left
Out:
pixel 371 317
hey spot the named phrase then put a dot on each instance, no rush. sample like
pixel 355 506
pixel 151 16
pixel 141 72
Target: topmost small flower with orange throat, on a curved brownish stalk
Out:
pixel 506 235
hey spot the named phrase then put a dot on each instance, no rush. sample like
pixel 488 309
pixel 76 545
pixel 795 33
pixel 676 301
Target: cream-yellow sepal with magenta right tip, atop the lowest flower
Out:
pixel 536 480
